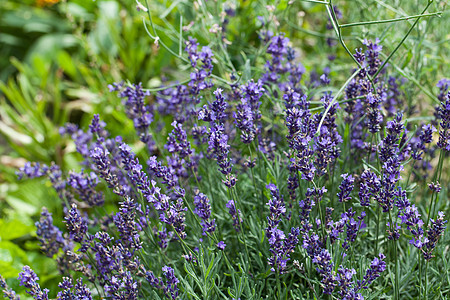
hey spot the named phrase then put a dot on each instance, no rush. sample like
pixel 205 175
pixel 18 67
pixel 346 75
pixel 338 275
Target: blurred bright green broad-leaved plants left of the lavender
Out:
pixel 48 89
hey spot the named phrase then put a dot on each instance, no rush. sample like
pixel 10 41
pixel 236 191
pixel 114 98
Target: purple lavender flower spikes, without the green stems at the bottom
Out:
pixel 155 198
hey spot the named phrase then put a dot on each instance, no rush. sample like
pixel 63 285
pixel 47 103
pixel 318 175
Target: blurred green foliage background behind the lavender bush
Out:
pixel 57 58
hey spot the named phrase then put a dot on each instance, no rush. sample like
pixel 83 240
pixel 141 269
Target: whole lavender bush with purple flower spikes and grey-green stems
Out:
pixel 270 187
